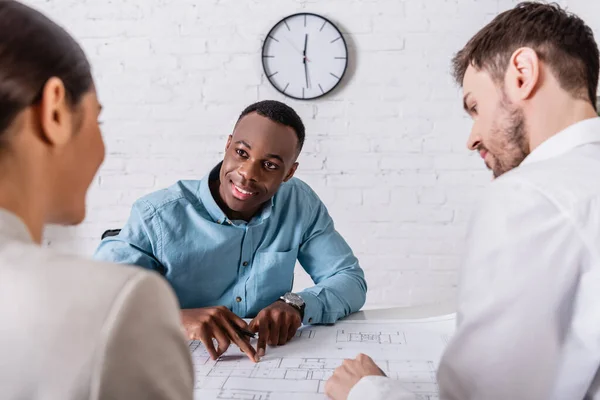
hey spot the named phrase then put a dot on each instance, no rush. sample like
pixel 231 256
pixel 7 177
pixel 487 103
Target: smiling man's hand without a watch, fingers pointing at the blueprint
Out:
pixel 204 324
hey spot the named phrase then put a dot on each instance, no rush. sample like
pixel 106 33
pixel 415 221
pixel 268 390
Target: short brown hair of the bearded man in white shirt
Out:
pixel 561 40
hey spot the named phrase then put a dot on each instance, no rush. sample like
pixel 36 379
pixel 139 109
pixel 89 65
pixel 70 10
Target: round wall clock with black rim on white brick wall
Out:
pixel 304 56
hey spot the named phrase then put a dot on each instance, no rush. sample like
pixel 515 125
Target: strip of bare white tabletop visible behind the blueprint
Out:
pixel 424 311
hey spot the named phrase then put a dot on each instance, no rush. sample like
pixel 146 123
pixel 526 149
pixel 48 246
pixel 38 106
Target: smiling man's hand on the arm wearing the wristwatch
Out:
pixel 276 325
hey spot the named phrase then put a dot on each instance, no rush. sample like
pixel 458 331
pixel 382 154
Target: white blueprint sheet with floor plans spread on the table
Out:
pixel 406 350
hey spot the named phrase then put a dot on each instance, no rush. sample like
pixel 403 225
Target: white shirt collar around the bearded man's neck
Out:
pixel 578 134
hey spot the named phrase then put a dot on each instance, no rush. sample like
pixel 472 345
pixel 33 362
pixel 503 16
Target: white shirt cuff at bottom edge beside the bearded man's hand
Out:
pixel 379 388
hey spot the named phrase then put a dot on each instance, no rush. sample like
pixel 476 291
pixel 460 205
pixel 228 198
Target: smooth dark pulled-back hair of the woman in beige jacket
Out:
pixel 34 49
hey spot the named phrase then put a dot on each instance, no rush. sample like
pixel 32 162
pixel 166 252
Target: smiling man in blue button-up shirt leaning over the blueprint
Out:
pixel 228 243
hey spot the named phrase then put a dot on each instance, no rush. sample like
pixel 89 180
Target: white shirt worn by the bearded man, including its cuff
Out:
pixel 528 321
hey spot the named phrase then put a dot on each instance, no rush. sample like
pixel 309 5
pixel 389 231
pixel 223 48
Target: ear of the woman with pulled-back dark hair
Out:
pixel 55 114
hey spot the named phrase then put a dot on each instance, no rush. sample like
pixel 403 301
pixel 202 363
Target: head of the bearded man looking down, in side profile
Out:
pixel 523 73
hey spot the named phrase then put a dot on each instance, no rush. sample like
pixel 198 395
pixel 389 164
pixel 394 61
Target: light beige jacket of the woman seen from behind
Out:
pixel 71 328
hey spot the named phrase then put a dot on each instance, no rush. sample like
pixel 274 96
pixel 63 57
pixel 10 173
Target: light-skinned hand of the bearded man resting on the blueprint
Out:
pixel 348 374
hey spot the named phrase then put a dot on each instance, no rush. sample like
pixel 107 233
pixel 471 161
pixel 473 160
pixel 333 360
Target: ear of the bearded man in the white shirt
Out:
pixel 523 74
